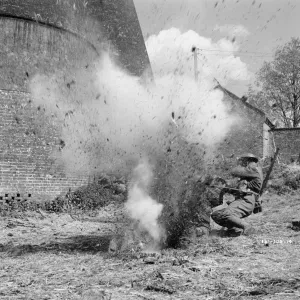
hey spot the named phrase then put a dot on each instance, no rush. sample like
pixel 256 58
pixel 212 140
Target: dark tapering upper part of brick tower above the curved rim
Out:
pixel 94 20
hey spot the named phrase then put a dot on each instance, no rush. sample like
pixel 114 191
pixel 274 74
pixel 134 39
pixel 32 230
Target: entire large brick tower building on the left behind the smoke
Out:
pixel 48 36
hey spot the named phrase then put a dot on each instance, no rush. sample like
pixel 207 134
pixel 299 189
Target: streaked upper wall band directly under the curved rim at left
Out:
pixel 28 48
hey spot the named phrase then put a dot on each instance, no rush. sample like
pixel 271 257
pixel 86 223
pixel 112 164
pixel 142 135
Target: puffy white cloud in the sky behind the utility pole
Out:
pixel 170 53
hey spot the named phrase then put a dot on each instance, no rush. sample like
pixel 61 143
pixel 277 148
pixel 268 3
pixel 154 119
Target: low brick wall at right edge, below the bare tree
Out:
pixel 288 141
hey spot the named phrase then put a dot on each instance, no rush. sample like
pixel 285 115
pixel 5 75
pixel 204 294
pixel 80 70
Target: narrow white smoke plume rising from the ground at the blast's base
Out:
pixel 140 206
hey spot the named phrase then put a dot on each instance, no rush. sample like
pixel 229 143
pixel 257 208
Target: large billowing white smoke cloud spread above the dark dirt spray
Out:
pixel 109 119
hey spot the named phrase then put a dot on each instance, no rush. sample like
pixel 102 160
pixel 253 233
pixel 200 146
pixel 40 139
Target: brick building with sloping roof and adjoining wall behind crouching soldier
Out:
pixel 256 134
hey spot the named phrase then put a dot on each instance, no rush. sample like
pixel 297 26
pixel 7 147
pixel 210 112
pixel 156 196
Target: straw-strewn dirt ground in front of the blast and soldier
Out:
pixel 62 256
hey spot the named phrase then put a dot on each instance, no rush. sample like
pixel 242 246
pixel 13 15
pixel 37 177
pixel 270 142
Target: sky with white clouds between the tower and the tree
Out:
pixel 234 37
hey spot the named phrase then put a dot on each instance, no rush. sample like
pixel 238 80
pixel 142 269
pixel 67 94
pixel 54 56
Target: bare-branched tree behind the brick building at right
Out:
pixel 278 86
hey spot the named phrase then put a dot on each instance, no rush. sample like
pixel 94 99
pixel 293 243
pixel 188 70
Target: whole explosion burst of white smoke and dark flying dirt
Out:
pixel 110 121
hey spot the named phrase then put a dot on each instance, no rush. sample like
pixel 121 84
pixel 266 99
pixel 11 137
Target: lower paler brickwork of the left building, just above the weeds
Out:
pixel 27 141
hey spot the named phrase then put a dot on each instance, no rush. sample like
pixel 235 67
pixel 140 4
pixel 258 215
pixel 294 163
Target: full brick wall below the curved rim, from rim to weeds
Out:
pixel 27 137
